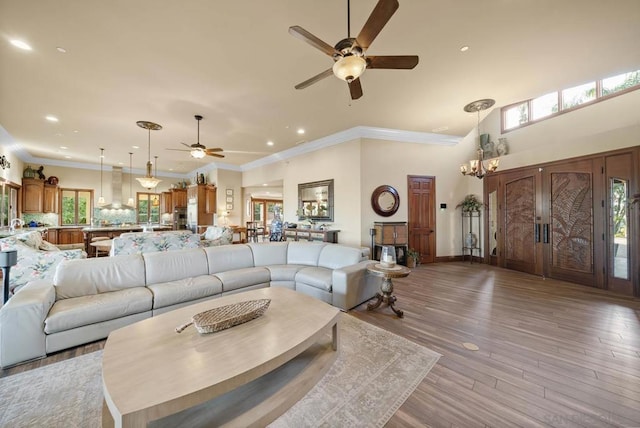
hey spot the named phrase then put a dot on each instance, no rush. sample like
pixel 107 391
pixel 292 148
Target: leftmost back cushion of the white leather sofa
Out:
pixel 75 278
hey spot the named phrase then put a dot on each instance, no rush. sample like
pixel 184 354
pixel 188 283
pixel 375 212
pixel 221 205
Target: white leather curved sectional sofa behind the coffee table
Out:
pixel 87 299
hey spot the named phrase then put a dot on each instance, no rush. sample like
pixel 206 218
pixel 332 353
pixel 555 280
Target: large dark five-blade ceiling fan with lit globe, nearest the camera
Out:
pixel 350 54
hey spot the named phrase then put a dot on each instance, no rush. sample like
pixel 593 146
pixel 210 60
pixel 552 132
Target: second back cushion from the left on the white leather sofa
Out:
pixel 175 265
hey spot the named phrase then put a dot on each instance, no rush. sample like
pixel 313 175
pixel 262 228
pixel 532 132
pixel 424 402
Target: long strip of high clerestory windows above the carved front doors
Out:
pixel 549 105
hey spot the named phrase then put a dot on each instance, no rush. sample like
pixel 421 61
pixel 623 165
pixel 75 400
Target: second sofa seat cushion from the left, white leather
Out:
pixel 184 290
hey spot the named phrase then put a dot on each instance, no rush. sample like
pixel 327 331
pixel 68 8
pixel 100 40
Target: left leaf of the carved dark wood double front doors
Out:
pixel 521 249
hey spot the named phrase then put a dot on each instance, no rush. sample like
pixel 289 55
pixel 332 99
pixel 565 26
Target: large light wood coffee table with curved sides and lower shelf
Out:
pixel 247 375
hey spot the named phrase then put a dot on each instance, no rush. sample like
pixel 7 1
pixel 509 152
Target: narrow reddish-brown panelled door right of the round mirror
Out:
pixel 422 214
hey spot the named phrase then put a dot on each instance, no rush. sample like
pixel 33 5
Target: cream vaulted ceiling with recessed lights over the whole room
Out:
pixel 235 63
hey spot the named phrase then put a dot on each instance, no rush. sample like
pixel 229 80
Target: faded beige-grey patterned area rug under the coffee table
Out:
pixel 374 374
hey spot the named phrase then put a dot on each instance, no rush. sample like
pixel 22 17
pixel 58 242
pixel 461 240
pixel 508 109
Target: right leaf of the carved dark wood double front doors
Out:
pixel 572 216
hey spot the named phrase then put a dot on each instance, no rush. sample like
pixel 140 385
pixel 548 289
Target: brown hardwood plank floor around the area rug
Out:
pixel 551 353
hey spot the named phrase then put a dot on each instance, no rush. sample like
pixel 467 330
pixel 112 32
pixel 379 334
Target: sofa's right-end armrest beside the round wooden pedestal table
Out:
pixel 353 285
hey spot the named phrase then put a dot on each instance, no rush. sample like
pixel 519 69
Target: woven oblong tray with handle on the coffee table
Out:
pixel 227 316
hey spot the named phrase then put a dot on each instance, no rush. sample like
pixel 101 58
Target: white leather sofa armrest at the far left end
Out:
pixel 22 318
